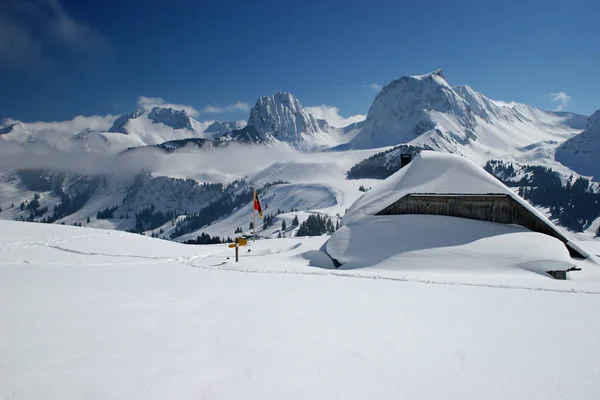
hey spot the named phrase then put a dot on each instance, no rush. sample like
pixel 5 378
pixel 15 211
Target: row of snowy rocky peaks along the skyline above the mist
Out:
pixel 417 110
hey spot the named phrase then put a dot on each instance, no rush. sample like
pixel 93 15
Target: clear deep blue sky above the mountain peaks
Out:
pixel 62 58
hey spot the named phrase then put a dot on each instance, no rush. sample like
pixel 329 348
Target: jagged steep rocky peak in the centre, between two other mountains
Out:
pixel 282 117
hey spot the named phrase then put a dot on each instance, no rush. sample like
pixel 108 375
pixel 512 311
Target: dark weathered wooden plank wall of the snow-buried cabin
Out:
pixel 499 208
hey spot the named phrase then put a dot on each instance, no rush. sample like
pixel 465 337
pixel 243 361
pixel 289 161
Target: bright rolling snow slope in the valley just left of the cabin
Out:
pixel 318 184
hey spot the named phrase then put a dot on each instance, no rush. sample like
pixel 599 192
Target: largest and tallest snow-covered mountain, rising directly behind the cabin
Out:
pixel 425 110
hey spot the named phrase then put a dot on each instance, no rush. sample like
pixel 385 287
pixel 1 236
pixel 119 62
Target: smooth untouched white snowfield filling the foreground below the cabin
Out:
pixel 103 314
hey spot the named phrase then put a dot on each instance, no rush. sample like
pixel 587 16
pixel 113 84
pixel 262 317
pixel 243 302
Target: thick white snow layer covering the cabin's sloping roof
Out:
pixel 435 173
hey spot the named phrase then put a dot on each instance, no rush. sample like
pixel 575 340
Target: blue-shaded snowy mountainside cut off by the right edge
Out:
pixel 582 152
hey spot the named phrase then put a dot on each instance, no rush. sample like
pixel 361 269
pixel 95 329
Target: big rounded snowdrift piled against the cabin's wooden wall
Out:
pixel 430 243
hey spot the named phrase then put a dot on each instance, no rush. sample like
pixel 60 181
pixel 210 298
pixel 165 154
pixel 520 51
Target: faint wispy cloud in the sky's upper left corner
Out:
pixel 29 28
